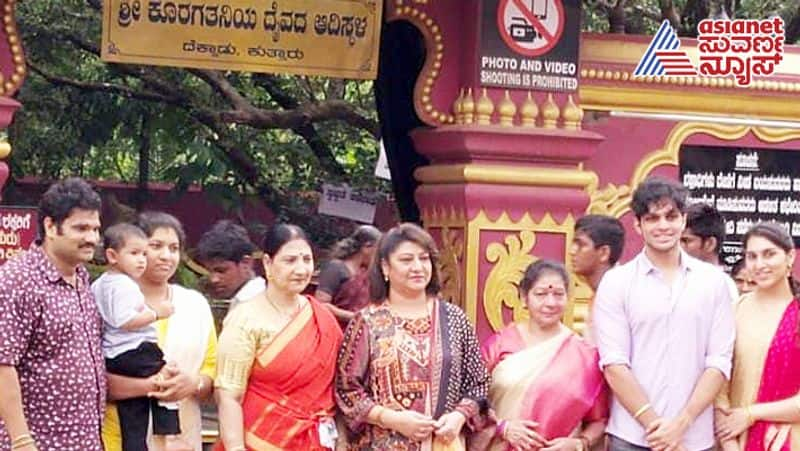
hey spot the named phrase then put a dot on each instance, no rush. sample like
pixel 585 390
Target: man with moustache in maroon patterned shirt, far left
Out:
pixel 51 366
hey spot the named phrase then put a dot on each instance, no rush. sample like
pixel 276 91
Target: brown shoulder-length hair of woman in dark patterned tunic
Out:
pixel 389 242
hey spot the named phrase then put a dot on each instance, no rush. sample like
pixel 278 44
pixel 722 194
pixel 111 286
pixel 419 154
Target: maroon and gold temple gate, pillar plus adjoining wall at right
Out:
pixel 500 176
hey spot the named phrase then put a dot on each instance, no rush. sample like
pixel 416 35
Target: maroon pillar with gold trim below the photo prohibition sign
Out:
pixel 505 181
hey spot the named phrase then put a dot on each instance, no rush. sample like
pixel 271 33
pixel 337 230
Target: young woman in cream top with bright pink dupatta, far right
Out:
pixel 761 408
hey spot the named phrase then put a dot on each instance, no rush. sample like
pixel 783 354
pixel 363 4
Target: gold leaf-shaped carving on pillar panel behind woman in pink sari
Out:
pixel 502 283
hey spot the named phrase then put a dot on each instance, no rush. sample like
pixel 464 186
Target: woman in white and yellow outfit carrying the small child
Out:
pixel 187 337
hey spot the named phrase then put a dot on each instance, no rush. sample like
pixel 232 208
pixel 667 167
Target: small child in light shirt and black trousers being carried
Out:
pixel 129 338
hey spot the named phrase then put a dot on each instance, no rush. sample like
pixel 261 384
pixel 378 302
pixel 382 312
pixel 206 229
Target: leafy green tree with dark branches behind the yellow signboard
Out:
pixel 236 134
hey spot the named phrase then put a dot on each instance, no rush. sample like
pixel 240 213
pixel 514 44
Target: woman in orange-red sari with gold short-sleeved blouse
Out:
pixel 276 358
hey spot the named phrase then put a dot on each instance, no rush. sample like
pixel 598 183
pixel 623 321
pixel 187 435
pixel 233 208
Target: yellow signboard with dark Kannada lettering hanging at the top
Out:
pixel 334 38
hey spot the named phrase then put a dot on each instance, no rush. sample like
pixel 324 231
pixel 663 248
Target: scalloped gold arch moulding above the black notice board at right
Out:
pixel 615 200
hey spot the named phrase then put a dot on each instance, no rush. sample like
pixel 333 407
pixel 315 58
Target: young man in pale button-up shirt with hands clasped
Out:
pixel 664 327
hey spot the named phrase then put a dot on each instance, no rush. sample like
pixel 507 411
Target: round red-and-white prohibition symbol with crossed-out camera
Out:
pixel 530 27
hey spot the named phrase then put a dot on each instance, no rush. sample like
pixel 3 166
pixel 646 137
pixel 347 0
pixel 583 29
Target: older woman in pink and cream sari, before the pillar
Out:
pixel 547 389
